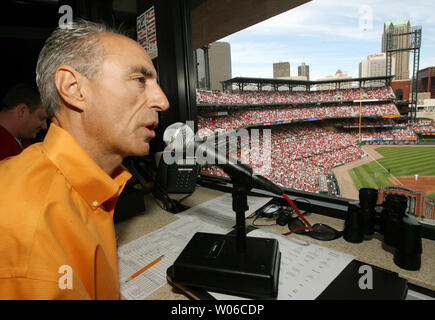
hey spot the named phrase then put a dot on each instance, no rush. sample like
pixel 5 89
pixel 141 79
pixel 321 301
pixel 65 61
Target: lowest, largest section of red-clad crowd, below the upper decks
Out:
pixel 299 155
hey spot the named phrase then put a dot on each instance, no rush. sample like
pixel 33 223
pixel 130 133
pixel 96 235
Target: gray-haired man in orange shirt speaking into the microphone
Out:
pixel 57 238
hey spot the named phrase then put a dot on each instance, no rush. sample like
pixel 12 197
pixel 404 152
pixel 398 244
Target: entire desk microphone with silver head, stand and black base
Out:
pixel 252 268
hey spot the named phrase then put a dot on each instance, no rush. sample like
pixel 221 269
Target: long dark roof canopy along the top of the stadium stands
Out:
pixel 275 83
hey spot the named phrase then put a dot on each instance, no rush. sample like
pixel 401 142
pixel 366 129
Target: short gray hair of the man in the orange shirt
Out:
pixel 76 44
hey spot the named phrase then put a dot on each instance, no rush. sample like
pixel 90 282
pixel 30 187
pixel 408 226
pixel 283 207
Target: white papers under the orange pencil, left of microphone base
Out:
pixel 214 216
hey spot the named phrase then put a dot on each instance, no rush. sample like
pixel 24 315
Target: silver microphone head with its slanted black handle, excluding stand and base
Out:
pixel 181 138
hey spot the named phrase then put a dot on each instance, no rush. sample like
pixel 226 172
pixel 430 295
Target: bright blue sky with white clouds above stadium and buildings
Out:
pixel 327 35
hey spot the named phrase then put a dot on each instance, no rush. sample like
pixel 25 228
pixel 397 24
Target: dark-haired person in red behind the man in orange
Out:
pixel 21 118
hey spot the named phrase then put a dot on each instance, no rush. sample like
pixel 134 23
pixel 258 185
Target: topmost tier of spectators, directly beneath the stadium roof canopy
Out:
pixel 231 97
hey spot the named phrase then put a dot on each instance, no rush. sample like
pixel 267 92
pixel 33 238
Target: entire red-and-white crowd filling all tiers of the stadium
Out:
pixel 300 155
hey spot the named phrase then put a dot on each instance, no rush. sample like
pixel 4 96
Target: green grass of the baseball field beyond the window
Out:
pixel 403 161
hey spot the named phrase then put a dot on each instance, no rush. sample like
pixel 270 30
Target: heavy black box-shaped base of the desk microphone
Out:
pixel 212 262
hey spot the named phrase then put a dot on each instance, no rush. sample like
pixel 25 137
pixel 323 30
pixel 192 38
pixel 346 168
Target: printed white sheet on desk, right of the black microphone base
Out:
pixel 306 268
